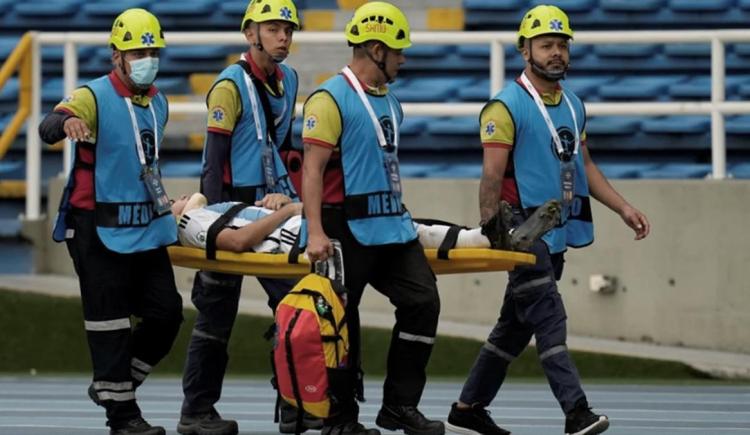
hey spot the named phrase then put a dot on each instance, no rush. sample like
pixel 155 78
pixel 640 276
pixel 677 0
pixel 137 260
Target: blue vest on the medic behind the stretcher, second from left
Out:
pixel 246 156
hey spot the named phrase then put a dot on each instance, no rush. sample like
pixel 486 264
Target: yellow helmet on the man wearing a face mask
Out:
pixel 136 28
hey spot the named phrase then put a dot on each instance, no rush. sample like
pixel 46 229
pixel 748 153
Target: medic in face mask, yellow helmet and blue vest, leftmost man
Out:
pixel 115 218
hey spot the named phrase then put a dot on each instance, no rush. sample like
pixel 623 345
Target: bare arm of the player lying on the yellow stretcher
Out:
pixel 244 238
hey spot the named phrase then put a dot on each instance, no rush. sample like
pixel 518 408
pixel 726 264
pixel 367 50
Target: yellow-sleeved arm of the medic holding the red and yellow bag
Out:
pixel 322 129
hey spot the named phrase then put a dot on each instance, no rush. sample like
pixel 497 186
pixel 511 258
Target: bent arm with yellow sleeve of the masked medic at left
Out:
pixel 71 118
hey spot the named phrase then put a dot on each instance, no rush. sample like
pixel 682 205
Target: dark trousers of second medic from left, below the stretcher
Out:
pixel 216 296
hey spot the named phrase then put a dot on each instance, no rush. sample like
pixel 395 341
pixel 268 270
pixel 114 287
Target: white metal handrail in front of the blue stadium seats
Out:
pixel 716 107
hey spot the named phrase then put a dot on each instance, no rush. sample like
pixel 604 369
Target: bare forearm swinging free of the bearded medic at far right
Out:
pixel 603 192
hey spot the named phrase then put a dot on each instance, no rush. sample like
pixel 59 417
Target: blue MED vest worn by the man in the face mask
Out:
pixel 123 210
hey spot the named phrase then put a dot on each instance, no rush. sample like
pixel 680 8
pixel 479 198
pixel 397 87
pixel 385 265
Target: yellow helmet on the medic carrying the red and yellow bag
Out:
pixel 379 21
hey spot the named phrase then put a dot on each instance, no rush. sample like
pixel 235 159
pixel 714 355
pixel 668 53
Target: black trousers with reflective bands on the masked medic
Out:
pixel 115 287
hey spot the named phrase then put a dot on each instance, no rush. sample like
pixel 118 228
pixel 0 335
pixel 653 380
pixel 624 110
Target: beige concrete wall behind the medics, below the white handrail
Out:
pixel 680 286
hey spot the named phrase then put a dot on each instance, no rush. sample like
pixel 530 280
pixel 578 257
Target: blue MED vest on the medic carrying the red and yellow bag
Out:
pixel 375 214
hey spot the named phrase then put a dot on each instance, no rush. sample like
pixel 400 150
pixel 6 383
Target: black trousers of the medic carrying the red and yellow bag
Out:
pixel 401 273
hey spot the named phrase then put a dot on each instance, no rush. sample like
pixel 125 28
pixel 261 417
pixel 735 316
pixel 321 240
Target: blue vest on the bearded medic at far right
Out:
pixel 537 165
